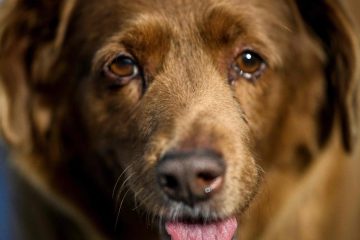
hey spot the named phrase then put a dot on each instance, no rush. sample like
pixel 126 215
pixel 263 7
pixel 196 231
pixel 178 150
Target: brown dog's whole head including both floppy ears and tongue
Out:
pixel 184 100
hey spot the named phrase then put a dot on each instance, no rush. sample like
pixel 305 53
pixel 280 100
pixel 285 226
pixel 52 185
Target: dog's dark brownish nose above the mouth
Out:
pixel 191 176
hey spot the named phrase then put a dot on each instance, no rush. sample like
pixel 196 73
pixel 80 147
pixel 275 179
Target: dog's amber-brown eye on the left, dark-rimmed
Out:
pixel 123 68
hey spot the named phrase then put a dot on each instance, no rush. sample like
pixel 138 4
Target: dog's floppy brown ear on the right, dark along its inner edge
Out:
pixel 331 24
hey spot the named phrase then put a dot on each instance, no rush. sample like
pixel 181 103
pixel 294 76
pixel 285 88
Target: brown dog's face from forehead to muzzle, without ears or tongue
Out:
pixel 183 97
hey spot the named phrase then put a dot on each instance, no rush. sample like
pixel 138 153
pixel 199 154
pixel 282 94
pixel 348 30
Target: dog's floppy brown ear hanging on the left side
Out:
pixel 31 36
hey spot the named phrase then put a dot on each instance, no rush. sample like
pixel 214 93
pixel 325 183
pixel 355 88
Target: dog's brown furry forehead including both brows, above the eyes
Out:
pixel 188 20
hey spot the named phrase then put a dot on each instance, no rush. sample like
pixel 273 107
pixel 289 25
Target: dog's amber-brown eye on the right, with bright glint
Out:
pixel 249 65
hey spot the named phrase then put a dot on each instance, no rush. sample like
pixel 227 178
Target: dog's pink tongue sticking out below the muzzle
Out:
pixel 224 230
